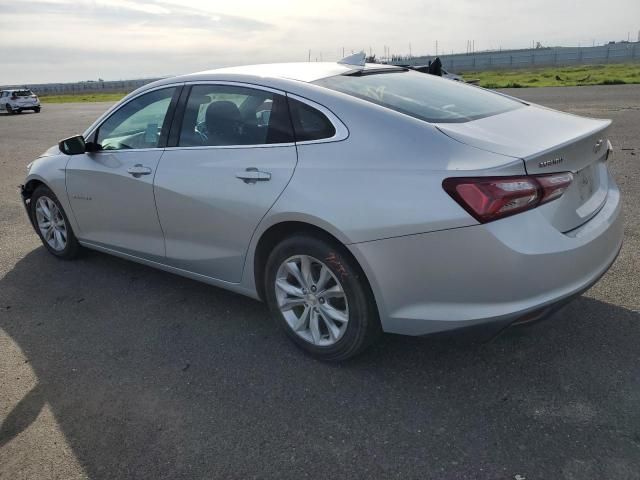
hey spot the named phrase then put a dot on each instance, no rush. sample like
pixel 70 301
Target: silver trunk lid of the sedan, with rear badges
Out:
pixel 548 141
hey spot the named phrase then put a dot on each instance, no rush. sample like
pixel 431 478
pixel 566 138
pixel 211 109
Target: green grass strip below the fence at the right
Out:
pixel 612 74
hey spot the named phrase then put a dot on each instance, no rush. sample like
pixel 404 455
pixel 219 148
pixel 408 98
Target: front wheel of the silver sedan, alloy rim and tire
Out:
pixel 52 224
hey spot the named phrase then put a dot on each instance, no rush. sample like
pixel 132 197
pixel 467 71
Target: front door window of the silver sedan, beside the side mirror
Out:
pixel 138 124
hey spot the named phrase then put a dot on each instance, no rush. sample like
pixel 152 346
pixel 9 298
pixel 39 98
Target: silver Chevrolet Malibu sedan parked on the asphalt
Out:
pixel 352 198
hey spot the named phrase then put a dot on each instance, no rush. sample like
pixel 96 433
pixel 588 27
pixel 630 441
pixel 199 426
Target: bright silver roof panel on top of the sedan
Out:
pixel 302 71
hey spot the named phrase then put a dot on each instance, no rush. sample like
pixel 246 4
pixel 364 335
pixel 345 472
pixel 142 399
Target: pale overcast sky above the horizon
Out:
pixel 67 40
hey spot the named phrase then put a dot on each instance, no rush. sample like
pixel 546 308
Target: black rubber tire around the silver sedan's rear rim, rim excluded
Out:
pixel 363 325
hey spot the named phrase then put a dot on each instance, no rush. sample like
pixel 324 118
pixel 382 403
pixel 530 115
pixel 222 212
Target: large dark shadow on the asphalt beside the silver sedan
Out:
pixel 153 375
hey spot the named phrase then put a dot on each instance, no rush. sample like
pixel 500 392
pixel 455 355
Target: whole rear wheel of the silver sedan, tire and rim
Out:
pixel 321 298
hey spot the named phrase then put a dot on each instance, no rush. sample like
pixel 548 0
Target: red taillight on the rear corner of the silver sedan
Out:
pixel 491 198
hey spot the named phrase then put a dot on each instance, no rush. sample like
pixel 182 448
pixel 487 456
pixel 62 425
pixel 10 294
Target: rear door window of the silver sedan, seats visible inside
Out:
pixel 218 115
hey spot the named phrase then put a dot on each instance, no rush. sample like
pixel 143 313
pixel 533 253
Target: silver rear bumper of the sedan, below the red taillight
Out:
pixel 488 276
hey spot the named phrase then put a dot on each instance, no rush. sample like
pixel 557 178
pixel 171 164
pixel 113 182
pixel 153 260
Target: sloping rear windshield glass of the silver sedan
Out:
pixel 427 97
